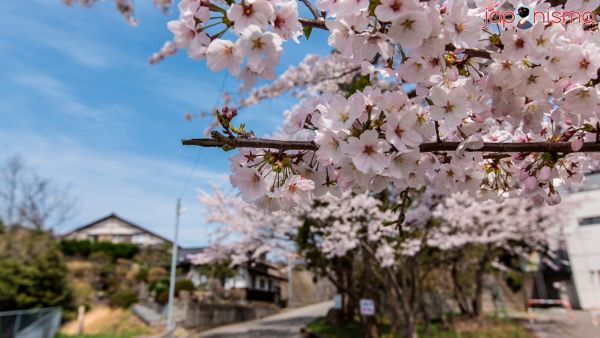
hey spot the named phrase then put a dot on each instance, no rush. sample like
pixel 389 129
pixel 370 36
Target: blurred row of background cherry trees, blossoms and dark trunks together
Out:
pixel 356 243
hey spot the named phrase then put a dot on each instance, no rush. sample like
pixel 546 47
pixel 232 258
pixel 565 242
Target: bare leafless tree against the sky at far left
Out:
pixel 29 200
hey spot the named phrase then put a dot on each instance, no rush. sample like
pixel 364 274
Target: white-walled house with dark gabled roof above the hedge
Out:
pixel 116 229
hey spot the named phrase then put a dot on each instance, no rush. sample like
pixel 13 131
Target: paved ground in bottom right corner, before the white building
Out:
pixel 557 324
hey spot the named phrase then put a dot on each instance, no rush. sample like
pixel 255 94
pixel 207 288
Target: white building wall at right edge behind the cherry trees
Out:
pixel 583 244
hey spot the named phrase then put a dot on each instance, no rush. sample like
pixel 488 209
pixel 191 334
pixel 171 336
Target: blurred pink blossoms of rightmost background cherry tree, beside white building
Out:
pixel 465 221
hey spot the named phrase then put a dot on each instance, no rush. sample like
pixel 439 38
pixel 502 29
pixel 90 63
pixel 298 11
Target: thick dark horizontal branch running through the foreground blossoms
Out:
pixel 503 148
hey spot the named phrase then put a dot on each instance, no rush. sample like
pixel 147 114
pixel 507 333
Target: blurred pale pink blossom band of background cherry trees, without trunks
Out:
pixel 355 222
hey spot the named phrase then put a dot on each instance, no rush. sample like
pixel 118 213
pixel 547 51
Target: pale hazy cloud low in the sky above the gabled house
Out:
pixel 139 188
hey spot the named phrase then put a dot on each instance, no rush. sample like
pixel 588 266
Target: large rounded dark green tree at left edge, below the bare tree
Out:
pixel 33 272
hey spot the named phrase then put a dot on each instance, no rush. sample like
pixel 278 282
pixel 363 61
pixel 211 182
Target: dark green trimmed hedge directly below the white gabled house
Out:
pixel 85 248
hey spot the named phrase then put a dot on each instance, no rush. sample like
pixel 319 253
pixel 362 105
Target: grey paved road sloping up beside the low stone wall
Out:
pixel 282 325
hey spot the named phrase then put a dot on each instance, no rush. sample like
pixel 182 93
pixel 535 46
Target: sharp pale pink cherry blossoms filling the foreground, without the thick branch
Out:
pixel 435 72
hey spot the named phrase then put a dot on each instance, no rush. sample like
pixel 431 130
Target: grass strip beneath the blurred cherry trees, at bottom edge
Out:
pixel 486 328
